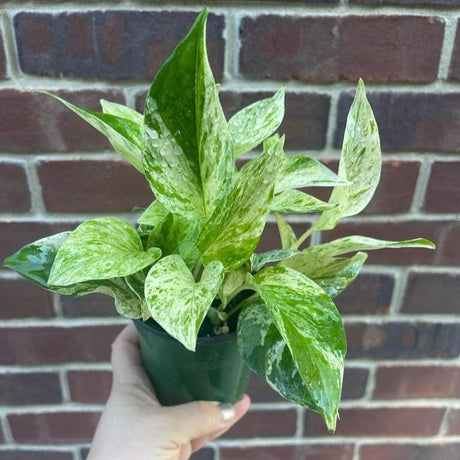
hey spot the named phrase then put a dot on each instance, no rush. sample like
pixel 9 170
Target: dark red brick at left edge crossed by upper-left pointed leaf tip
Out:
pixel 32 123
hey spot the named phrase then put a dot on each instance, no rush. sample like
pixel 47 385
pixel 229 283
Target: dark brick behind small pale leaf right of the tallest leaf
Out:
pixel 305 120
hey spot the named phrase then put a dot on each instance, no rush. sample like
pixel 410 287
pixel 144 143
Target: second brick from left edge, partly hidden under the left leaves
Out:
pixel 88 305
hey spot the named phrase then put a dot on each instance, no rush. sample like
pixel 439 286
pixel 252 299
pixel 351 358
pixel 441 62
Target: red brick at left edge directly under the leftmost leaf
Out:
pixel 22 299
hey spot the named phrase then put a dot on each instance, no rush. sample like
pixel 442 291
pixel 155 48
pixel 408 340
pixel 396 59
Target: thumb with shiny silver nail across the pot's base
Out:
pixel 201 418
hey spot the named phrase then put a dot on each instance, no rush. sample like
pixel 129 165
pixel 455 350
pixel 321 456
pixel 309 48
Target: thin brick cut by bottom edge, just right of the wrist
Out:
pixel 299 452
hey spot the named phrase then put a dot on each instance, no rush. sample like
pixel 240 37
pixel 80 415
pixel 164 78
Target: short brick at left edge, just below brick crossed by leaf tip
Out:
pixel 14 189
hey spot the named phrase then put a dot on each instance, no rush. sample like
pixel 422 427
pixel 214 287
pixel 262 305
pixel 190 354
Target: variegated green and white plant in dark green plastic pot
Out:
pixel 188 272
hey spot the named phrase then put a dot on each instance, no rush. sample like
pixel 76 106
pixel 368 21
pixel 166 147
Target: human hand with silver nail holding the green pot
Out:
pixel 135 426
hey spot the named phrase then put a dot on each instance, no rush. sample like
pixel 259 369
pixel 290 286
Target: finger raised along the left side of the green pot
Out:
pixel 126 360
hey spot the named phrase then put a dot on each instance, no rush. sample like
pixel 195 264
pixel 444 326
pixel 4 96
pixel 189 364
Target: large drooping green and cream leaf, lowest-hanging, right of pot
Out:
pixel 312 329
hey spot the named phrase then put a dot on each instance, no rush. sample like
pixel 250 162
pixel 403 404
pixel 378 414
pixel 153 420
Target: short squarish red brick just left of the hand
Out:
pixel 90 386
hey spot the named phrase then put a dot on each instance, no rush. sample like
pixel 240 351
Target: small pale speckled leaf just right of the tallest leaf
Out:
pixel 251 125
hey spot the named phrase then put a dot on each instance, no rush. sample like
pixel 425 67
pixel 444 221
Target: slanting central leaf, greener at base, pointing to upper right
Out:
pixel 233 231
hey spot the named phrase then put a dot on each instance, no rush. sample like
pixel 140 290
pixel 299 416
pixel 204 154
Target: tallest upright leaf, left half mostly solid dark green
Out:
pixel 188 151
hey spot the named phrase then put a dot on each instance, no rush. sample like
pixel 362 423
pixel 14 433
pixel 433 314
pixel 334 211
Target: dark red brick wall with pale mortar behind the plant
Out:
pixel 402 379
